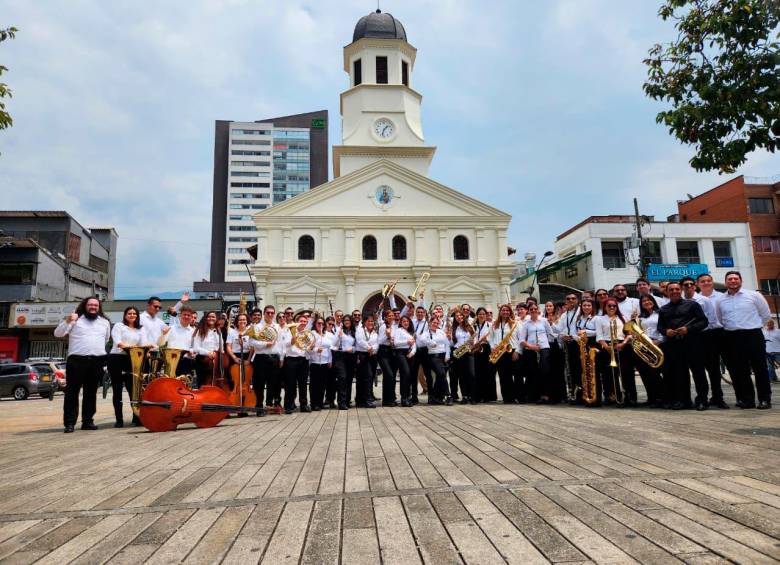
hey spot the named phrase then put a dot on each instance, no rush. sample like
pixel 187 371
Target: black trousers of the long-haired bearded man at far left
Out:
pixel 84 371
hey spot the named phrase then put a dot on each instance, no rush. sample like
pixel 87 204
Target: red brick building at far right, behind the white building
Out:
pixel 757 202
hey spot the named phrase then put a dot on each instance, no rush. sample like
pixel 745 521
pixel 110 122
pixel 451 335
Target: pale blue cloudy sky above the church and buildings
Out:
pixel 536 108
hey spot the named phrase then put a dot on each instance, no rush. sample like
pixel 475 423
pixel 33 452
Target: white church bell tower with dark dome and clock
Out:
pixel 380 110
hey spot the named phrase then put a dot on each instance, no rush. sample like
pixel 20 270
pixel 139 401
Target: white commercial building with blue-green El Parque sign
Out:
pixel 601 252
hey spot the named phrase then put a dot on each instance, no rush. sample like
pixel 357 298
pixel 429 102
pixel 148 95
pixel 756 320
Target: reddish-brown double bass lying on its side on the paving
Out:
pixel 167 403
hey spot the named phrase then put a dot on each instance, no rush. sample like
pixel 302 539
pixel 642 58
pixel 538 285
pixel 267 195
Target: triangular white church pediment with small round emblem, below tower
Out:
pixel 383 189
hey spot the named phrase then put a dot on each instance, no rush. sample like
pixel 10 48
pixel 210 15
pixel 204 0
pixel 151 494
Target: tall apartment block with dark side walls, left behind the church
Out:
pixel 256 165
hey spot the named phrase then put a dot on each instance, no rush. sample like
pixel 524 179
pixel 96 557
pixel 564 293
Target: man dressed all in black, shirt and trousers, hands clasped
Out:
pixel 681 323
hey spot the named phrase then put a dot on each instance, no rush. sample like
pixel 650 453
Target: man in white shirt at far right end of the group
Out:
pixel 743 314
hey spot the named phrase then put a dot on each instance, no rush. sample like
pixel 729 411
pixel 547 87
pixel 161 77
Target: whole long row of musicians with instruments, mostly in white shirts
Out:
pixel 575 352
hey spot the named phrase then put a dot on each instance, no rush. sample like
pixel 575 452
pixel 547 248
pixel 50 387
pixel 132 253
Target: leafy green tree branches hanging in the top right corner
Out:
pixel 721 77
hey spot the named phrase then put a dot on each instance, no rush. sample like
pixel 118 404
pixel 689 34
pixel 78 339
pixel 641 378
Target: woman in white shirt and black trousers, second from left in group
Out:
pixel 127 333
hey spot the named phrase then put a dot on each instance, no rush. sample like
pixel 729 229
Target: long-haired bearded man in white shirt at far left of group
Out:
pixel 88 331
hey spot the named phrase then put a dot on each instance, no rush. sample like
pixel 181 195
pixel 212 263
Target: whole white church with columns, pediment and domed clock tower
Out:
pixel 381 218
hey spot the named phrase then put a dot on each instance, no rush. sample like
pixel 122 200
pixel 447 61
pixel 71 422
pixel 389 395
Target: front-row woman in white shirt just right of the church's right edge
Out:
pixel 535 337
